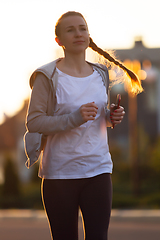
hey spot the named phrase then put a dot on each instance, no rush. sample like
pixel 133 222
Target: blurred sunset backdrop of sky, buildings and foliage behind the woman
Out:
pixel 131 29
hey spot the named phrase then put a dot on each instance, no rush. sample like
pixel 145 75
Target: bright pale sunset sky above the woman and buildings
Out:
pixel 27 36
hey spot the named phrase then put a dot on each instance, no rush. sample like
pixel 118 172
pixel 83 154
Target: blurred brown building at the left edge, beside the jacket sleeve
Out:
pixel 11 142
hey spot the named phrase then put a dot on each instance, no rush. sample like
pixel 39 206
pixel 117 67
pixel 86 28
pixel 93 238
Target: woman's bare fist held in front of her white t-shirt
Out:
pixel 88 111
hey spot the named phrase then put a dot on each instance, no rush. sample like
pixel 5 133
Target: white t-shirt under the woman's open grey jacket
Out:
pixel 81 152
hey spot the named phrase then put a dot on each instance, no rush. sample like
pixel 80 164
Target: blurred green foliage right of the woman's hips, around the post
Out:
pixel 148 171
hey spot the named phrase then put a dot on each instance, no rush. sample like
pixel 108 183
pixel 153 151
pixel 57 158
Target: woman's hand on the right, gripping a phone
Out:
pixel 116 115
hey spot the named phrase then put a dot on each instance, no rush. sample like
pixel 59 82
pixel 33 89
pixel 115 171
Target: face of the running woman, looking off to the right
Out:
pixel 74 36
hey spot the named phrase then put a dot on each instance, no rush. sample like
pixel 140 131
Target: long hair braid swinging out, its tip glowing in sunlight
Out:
pixel 135 82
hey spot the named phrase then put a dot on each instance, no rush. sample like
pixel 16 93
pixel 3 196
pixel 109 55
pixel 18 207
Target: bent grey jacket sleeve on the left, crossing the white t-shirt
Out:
pixel 37 119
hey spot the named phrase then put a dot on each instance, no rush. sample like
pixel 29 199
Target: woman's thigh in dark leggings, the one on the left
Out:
pixel 60 201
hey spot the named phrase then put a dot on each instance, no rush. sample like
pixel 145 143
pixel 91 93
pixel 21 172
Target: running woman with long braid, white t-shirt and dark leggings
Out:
pixel 76 164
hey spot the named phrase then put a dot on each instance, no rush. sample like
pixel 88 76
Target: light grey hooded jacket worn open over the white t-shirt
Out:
pixel 40 116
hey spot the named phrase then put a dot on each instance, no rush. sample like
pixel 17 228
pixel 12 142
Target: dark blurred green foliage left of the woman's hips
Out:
pixel 14 194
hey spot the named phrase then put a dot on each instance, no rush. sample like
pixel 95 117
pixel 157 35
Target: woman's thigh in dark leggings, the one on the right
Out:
pixel 95 204
